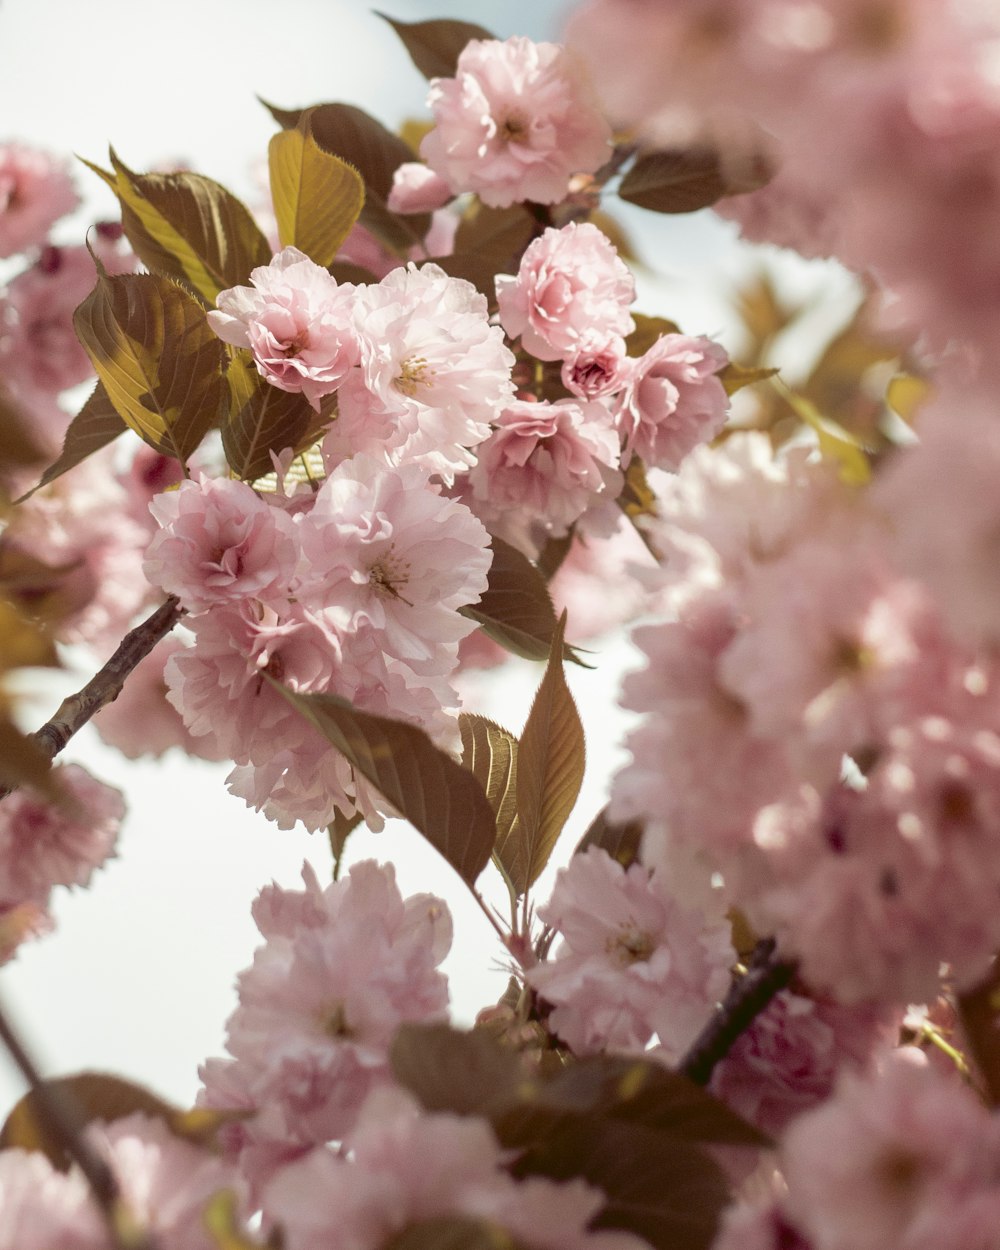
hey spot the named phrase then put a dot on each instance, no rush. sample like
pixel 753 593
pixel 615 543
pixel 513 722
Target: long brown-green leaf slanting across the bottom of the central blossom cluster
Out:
pixel 439 798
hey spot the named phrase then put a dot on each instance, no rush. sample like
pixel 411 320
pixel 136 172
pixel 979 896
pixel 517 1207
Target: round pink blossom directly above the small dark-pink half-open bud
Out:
pixel 571 282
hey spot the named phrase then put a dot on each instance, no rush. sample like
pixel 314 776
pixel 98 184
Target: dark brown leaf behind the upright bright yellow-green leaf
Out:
pixel 377 154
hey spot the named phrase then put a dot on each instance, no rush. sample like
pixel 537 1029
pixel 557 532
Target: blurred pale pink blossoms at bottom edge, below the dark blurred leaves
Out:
pixel 407 1168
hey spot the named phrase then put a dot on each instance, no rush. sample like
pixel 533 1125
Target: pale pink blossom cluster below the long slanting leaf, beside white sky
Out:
pixel 342 968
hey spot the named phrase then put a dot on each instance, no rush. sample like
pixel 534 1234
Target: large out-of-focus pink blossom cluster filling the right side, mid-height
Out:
pixel 796 643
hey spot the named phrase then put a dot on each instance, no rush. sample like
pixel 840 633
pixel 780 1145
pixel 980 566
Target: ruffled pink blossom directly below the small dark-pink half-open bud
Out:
pixel 543 468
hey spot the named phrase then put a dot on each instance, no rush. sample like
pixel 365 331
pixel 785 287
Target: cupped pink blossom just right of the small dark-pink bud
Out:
pixel 673 401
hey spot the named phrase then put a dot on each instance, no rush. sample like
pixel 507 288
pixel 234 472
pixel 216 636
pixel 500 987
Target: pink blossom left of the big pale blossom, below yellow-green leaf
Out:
pixel 297 321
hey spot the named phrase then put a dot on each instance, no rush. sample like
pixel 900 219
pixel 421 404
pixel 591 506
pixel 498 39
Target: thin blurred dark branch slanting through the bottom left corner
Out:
pixel 63 1123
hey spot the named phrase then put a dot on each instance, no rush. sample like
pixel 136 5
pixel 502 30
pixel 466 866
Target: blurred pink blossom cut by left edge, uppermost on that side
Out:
pixel 36 192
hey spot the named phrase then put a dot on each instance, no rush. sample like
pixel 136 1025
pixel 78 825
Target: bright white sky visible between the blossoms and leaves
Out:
pixel 138 978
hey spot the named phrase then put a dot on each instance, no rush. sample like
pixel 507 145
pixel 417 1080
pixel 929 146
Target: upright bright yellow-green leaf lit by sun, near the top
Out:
pixel 317 197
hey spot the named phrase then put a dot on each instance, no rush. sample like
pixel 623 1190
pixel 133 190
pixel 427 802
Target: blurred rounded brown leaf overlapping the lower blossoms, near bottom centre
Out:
pixel 449 1071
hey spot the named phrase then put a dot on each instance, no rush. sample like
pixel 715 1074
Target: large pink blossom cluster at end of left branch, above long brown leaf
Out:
pixel 351 591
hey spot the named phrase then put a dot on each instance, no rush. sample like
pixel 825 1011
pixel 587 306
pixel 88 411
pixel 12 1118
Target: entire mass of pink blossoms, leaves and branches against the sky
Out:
pixel 444 434
